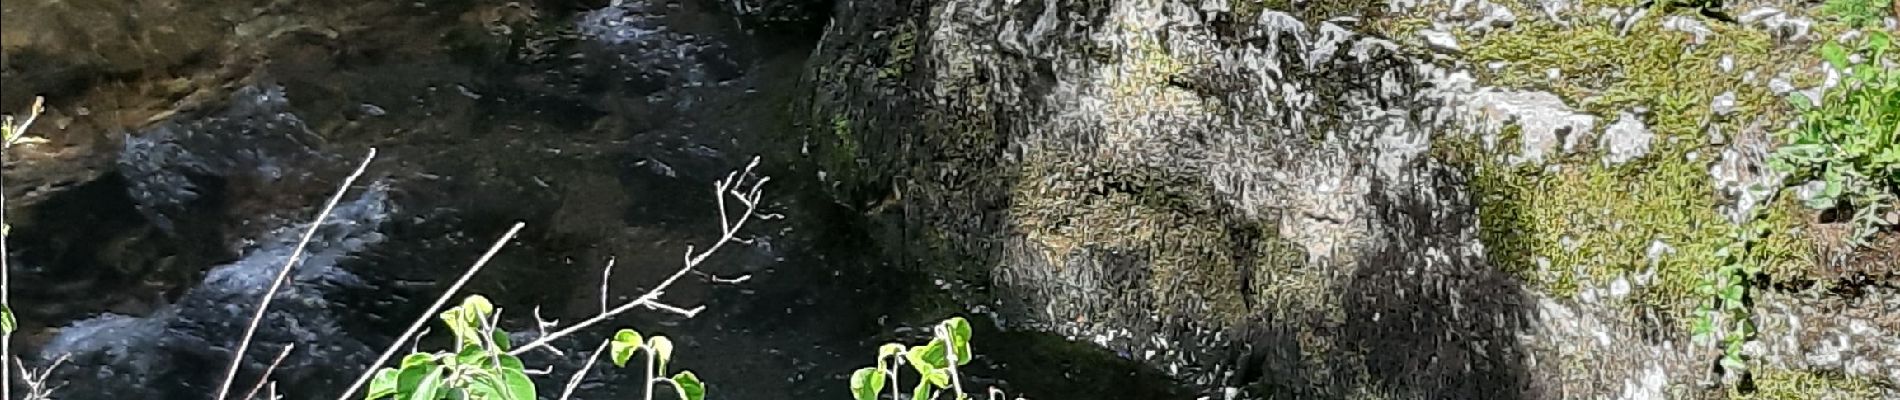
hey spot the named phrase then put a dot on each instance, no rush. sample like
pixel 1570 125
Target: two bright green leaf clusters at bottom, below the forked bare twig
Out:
pixel 482 369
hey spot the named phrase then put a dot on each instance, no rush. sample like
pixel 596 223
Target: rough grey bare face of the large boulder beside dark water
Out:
pixel 1240 196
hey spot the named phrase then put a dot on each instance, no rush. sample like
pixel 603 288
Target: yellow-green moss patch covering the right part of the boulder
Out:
pixel 1580 223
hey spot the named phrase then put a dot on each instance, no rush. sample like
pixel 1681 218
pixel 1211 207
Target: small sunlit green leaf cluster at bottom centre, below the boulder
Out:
pixel 934 363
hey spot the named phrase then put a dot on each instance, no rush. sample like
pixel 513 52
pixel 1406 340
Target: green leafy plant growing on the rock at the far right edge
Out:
pixel 1852 141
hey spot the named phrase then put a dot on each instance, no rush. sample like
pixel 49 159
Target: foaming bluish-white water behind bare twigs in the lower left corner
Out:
pixel 181 350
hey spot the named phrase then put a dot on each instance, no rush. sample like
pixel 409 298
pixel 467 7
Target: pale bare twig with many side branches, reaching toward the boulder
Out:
pixel 729 230
